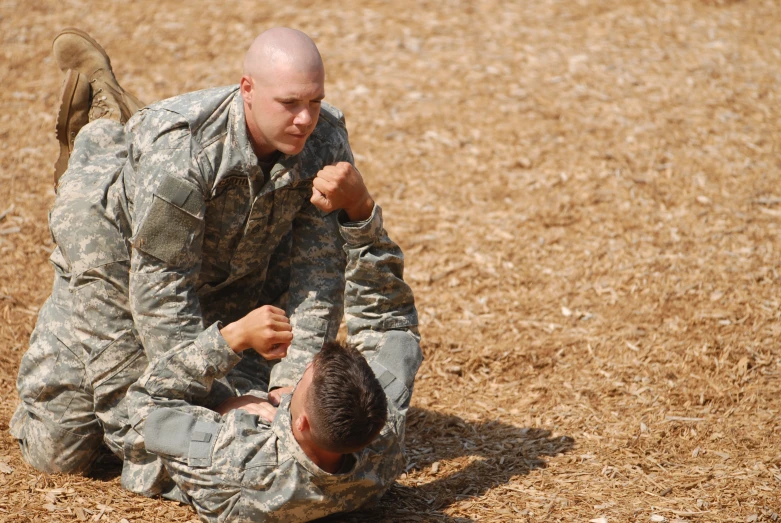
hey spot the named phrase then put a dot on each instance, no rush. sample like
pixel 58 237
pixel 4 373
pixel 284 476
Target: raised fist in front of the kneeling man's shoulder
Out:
pixel 341 186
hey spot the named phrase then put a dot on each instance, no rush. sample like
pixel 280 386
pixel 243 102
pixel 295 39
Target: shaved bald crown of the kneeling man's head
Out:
pixel 281 49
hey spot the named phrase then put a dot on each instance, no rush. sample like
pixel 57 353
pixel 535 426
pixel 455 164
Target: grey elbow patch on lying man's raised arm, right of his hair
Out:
pixel 397 361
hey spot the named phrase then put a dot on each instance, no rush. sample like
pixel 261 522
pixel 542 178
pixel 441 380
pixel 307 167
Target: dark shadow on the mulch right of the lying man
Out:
pixel 497 452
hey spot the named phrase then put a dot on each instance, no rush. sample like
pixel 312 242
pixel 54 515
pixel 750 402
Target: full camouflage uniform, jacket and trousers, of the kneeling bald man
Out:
pixel 164 227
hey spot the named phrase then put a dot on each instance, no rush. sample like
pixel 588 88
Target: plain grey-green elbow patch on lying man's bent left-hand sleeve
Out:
pixel 175 434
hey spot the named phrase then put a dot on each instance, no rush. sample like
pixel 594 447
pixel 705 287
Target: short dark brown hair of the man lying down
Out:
pixel 346 403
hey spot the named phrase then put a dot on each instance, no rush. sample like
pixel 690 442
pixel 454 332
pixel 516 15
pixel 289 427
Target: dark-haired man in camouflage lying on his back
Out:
pixel 307 457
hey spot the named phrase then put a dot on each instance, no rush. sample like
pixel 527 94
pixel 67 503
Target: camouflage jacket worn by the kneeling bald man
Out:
pixel 207 226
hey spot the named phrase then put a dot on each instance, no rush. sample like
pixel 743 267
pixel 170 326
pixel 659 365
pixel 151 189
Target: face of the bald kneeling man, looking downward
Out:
pixel 283 109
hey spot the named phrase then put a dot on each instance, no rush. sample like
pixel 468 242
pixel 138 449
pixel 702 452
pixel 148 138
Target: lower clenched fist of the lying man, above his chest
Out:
pixel 266 329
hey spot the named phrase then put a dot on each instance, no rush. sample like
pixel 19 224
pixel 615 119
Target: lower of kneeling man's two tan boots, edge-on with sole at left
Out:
pixel 71 117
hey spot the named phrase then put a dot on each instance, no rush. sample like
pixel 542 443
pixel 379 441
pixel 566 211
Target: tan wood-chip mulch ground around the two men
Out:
pixel 587 194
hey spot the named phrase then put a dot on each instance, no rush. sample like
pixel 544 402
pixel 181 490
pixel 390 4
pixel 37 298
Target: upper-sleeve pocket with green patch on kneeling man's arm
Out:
pixel 172 224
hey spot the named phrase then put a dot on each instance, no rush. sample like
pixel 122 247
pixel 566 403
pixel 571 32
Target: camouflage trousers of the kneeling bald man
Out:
pixel 85 352
